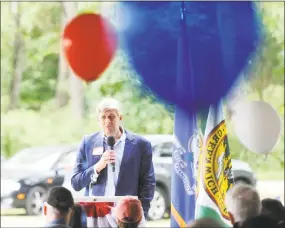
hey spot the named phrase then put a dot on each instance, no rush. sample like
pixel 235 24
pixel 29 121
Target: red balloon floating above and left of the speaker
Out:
pixel 89 44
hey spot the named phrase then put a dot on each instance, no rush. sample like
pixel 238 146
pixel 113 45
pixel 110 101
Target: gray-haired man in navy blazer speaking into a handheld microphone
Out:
pixel 114 162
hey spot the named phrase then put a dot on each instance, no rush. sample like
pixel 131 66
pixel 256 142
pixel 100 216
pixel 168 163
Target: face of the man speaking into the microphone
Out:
pixel 110 121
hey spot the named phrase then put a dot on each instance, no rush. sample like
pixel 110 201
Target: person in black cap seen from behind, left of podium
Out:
pixel 59 209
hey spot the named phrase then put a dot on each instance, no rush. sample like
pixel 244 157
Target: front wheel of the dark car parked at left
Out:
pixel 35 199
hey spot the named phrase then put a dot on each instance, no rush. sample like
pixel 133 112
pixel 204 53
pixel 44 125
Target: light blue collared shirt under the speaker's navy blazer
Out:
pixel 112 177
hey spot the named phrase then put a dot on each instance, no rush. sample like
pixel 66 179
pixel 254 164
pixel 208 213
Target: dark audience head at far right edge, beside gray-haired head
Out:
pixel 273 208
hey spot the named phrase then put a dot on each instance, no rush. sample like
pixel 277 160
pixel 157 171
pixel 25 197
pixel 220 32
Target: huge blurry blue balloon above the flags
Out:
pixel 222 37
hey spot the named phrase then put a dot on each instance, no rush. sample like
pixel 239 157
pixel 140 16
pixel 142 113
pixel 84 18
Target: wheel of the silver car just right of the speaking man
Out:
pixel 157 205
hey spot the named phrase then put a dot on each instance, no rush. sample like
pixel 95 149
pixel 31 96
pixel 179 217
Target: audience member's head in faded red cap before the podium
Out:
pixel 129 212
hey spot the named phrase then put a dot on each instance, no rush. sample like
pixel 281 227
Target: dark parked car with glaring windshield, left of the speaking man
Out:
pixel 29 174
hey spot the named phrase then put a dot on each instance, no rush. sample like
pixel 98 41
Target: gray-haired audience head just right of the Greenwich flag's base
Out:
pixel 242 202
